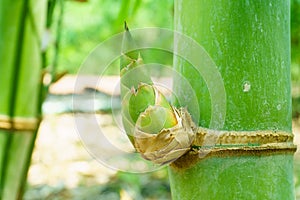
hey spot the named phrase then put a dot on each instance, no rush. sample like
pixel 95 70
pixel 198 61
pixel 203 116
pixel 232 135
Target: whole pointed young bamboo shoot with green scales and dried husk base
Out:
pixel 161 133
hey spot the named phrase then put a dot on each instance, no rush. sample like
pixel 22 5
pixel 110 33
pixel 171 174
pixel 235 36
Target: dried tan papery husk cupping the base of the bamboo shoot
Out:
pixel 169 144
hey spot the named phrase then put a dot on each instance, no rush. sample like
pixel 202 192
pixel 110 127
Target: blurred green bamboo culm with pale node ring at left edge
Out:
pixel 22 25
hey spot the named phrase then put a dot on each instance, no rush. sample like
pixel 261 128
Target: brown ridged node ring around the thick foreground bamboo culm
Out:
pixel 211 143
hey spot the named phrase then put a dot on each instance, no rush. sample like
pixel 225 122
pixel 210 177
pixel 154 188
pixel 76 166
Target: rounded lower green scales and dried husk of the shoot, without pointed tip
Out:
pixel 162 133
